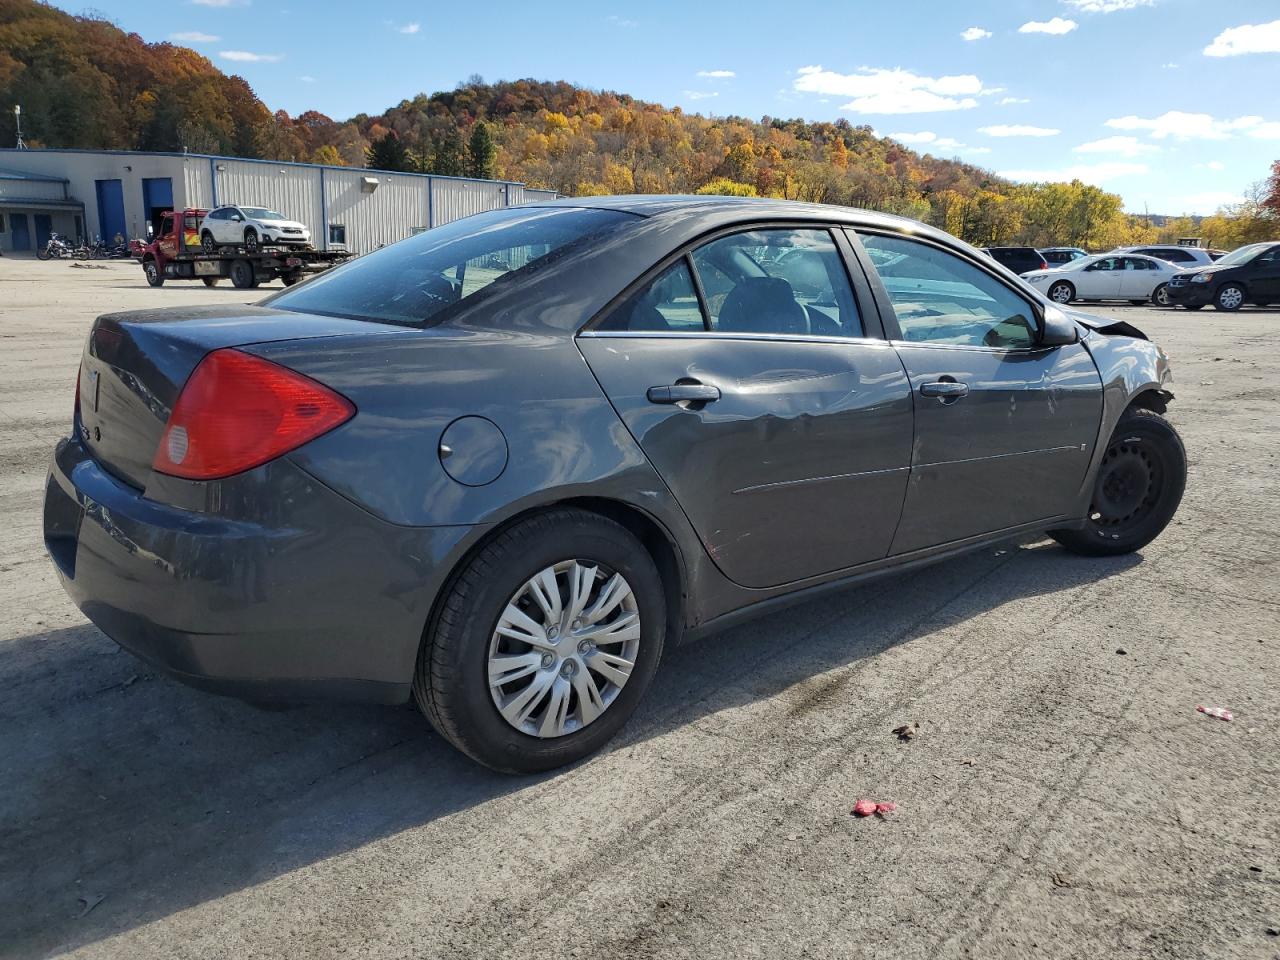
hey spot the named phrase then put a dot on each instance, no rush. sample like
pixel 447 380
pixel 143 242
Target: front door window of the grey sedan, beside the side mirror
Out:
pixel 939 298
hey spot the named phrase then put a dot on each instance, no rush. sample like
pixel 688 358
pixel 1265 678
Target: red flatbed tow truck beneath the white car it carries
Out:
pixel 176 255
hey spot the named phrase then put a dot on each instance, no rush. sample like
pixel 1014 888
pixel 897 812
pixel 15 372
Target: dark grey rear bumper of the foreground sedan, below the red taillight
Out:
pixel 312 600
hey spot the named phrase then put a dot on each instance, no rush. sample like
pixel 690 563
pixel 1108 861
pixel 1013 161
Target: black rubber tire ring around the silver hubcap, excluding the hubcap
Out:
pixel 478 729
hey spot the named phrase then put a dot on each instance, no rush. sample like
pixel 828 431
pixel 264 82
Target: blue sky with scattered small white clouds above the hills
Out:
pixel 1173 104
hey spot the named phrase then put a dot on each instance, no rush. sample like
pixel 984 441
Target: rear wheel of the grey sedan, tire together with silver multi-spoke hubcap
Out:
pixel 543 643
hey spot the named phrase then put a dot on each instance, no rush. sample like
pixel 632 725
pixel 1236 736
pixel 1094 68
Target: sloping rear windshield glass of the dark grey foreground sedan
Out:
pixel 423 280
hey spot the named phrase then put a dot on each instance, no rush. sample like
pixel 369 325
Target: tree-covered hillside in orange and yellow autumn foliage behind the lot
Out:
pixel 85 84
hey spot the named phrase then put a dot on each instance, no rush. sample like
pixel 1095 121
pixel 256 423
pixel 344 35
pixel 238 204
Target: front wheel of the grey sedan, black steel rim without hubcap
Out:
pixel 1137 490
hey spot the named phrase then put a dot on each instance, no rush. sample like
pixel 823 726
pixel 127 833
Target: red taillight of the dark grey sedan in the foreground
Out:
pixel 239 412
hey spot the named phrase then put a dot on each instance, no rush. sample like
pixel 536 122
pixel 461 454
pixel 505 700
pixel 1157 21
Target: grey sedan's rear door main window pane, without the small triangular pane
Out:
pixel 779 282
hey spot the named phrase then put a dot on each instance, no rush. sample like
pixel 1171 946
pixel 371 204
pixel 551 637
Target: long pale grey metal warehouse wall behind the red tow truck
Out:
pixel 372 208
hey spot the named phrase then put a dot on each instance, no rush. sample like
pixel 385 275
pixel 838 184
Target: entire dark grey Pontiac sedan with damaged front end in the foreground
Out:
pixel 500 465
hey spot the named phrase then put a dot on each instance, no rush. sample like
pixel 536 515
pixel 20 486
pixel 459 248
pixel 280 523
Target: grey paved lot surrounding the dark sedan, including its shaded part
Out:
pixel 1063 797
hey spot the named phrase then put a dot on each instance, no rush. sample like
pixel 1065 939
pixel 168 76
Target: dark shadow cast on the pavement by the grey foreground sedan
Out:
pixel 135 798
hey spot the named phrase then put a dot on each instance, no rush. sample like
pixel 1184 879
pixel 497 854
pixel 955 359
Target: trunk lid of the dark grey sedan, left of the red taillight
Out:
pixel 135 367
